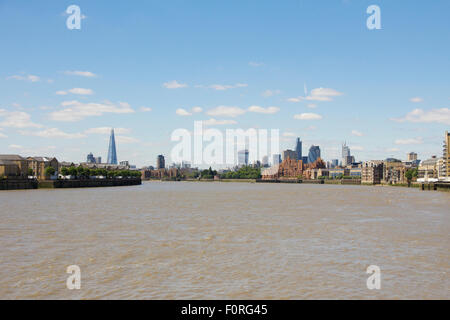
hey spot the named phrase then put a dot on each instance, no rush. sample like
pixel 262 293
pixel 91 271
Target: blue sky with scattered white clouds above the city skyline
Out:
pixel 311 69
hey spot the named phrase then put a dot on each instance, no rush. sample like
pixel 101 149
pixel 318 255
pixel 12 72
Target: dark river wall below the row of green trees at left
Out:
pixel 94 183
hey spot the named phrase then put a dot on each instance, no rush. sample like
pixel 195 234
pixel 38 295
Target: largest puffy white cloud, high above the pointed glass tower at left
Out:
pixel 75 110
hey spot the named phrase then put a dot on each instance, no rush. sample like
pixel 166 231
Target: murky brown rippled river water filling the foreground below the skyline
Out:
pixel 189 240
